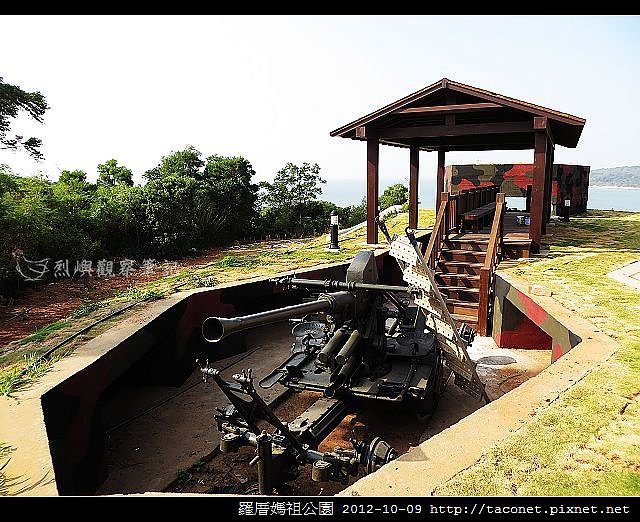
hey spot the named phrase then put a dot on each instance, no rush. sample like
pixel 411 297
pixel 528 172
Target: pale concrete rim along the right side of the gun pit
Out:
pixel 423 468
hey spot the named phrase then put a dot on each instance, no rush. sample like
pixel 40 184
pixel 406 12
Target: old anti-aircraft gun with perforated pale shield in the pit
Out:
pixel 359 340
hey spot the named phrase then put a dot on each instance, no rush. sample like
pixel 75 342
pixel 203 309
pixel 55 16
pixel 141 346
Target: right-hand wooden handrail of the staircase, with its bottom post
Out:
pixel 494 250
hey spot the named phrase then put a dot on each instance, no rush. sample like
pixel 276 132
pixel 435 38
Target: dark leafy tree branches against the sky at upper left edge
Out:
pixel 13 100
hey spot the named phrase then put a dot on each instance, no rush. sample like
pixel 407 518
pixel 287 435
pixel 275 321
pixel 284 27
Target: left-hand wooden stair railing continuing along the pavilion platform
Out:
pixel 449 216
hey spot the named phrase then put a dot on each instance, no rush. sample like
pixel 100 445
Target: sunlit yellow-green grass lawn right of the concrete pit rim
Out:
pixel 587 442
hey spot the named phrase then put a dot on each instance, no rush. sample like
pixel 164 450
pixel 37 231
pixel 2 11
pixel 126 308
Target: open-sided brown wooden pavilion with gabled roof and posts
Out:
pixel 451 116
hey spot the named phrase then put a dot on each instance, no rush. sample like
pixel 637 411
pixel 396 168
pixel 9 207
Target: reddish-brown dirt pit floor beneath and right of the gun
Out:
pixel 501 370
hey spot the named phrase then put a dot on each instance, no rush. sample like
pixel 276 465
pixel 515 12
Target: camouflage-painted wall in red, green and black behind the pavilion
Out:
pixel 514 178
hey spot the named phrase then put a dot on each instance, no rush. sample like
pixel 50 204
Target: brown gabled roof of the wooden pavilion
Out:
pixel 448 115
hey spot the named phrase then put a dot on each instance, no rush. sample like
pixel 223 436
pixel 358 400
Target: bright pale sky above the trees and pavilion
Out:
pixel 271 88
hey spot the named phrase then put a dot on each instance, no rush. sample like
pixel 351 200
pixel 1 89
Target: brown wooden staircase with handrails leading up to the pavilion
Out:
pixel 464 264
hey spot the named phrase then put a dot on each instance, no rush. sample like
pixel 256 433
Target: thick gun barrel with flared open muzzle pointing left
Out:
pixel 215 329
